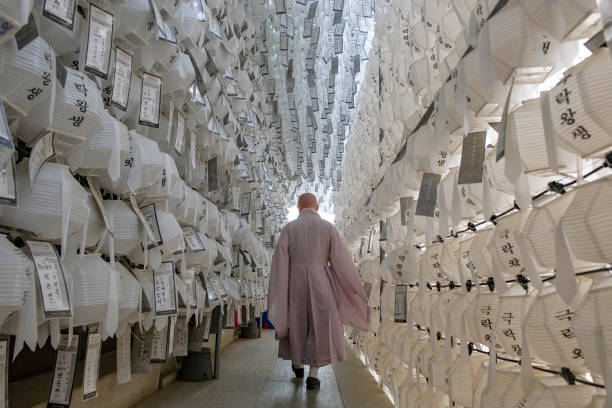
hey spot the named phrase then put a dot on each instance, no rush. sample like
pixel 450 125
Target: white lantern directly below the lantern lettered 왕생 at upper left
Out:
pixel 103 153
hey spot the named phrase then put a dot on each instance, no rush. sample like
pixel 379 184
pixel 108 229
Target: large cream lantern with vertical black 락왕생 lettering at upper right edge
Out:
pixel 580 115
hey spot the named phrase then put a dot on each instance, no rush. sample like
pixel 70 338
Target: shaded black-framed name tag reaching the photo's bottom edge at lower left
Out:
pixel 64 372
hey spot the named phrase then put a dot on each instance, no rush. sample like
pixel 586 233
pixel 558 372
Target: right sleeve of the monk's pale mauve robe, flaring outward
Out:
pixel 351 298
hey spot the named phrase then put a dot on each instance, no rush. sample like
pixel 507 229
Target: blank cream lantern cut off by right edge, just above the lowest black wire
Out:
pixel 592 326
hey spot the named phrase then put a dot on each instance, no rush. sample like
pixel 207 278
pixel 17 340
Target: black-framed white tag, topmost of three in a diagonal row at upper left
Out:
pixel 99 41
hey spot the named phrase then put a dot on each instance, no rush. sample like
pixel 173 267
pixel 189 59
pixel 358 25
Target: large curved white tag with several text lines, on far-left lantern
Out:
pixel 53 289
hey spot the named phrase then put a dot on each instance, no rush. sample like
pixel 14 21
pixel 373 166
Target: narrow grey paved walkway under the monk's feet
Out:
pixel 252 376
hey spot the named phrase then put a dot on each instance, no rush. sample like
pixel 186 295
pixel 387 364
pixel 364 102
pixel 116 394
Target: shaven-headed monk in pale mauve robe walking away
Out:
pixel 314 289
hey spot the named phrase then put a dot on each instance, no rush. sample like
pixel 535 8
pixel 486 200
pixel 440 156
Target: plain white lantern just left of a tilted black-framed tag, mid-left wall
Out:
pixel 126 226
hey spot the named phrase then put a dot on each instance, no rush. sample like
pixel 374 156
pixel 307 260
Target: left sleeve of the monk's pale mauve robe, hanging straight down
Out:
pixel 278 293
